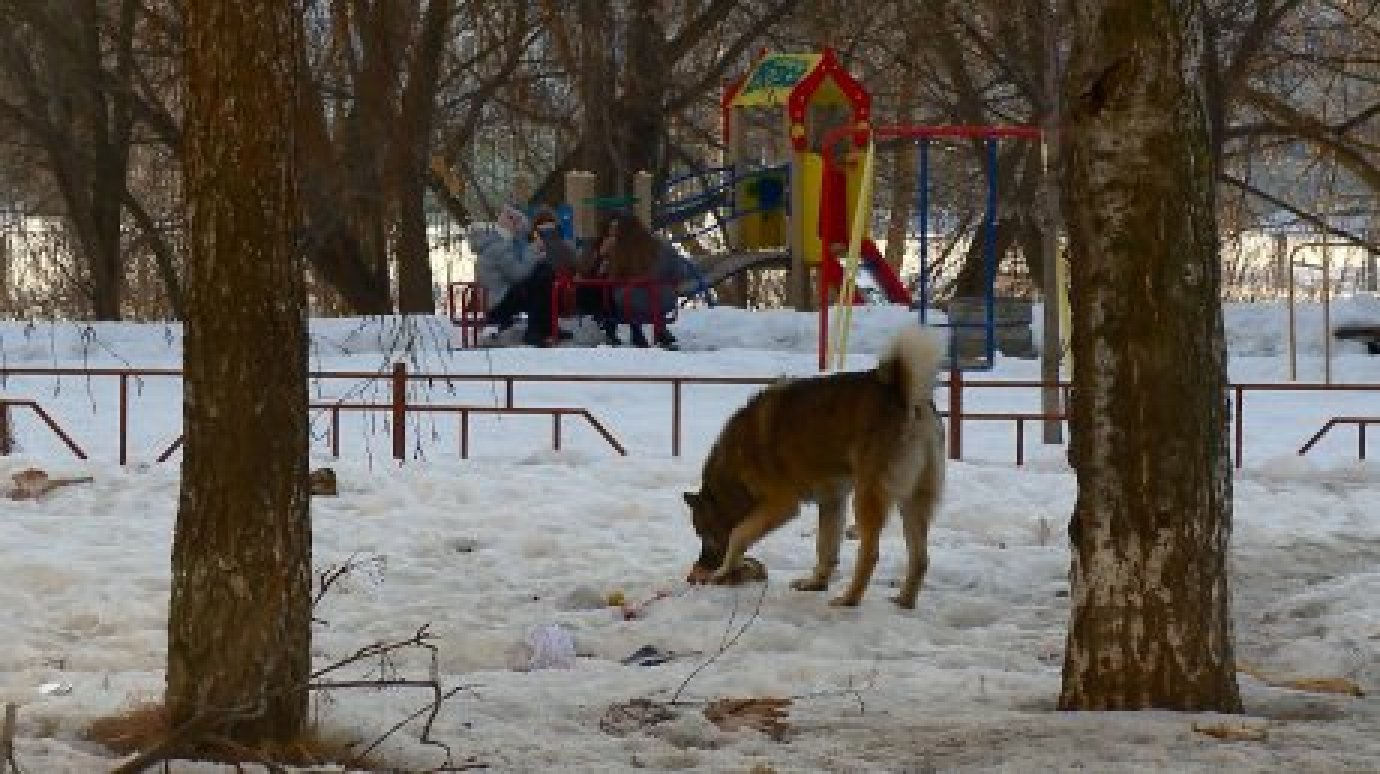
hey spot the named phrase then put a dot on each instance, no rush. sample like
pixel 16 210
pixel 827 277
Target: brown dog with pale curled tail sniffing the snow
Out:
pixel 874 434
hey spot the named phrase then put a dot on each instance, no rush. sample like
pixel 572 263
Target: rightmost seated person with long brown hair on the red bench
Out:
pixel 624 250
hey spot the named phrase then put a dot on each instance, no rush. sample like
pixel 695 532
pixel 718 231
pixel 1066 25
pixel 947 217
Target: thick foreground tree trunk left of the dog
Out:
pixel 239 626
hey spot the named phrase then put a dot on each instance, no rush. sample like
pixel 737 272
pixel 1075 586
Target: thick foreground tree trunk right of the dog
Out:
pixel 1152 624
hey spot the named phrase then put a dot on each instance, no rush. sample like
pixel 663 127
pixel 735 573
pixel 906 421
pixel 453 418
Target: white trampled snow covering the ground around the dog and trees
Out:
pixel 488 551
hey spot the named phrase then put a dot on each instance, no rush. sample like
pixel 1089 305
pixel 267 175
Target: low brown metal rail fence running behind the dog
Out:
pixel 401 408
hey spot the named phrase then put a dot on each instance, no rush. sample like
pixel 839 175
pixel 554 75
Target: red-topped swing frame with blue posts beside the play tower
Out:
pixel 837 228
